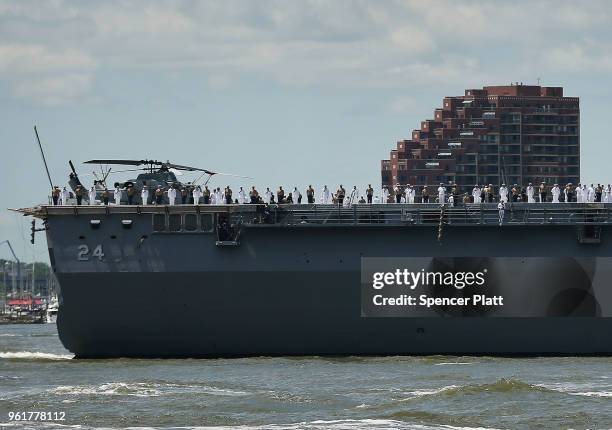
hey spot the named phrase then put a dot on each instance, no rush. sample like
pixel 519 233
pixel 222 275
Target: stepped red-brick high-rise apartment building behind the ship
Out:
pixel 514 134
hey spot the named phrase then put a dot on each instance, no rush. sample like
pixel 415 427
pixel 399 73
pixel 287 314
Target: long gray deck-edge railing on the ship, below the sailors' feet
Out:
pixel 364 214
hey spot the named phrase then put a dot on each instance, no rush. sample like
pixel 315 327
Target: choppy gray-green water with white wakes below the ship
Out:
pixel 37 374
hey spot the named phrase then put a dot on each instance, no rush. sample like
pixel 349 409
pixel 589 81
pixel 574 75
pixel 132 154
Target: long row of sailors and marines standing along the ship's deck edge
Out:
pixel 398 194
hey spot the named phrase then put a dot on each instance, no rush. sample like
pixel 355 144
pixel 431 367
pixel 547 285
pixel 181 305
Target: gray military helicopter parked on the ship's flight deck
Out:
pixel 154 173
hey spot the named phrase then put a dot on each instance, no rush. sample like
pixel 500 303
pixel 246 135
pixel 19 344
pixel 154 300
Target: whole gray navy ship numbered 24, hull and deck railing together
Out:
pixel 312 279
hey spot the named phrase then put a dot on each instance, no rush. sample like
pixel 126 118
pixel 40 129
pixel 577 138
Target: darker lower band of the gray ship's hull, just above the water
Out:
pixel 156 316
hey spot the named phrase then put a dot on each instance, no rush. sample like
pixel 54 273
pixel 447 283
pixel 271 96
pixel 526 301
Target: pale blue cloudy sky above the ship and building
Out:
pixel 291 93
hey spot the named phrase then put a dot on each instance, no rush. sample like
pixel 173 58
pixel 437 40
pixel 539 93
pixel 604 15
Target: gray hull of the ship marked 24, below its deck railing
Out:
pixel 298 290
